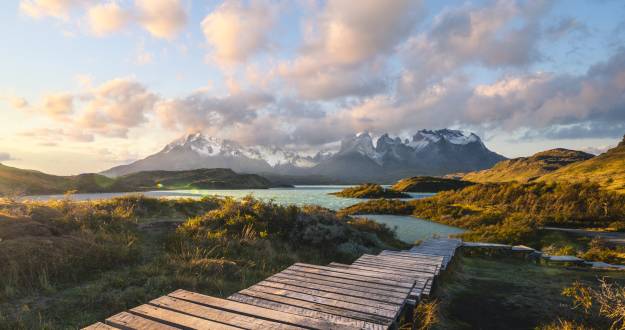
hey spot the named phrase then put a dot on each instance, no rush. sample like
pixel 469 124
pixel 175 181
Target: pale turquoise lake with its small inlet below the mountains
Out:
pixel 409 229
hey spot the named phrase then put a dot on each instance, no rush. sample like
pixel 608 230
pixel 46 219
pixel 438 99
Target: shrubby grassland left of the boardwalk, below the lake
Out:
pixel 68 264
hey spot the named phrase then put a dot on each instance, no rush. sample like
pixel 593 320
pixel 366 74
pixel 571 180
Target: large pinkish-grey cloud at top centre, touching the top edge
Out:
pixel 344 45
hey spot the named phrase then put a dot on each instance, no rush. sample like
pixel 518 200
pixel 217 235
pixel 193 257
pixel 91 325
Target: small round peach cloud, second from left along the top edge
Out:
pixel 107 18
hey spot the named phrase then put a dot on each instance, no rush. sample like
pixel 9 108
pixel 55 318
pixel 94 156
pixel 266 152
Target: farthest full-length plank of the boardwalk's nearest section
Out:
pixel 251 310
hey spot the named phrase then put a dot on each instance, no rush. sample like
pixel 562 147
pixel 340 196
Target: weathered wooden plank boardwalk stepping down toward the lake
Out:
pixel 368 294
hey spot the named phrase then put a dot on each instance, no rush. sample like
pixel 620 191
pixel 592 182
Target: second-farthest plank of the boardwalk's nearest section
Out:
pixel 218 315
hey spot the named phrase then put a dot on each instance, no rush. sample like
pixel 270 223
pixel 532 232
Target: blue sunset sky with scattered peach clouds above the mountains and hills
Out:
pixel 86 85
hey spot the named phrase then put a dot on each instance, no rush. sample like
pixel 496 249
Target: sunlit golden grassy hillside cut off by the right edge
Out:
pixel 607 170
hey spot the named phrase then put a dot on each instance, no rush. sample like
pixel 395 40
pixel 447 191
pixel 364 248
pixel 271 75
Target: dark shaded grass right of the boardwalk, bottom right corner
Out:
pixel 488 293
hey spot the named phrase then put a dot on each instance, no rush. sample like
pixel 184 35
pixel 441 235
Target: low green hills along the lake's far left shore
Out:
pixel 19 181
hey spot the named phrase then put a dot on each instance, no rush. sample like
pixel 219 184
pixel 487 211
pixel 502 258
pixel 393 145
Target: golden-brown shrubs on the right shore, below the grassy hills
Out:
pixel 511 213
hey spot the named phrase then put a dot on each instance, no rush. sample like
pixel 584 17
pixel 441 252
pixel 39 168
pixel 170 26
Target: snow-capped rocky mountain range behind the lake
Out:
pixel 428 152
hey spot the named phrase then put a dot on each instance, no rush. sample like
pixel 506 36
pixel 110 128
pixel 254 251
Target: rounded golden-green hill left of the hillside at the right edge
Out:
pixel 525 169
